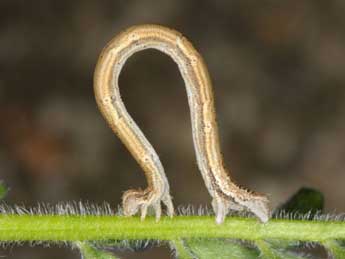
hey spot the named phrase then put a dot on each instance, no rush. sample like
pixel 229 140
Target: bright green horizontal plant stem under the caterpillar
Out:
pixel 73 228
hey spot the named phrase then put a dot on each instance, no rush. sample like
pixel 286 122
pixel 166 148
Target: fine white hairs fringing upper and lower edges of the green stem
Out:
pixel 85 208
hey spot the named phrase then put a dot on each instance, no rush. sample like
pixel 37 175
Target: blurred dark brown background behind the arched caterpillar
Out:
pixel 278 71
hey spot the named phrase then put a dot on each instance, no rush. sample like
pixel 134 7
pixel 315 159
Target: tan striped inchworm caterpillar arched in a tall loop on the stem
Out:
pixel 225 193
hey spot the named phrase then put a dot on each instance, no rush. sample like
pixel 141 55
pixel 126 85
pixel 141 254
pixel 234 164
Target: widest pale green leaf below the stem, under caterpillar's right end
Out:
pixel 220 249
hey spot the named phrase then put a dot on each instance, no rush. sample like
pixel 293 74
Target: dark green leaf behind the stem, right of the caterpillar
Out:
pixel 305 201
